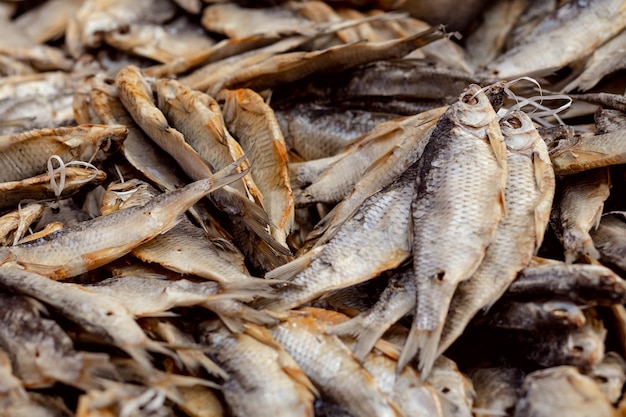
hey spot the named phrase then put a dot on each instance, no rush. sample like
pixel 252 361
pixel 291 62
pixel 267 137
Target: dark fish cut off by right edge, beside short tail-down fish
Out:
pixel 610 239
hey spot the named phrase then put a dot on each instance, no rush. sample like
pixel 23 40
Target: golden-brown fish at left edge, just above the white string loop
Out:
pixel 26 154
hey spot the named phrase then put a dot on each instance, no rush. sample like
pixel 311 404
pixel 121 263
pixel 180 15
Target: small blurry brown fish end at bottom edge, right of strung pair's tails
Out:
pixel 497 389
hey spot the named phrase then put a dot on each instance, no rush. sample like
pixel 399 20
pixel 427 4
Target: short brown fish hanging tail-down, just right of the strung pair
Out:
pixel 579 209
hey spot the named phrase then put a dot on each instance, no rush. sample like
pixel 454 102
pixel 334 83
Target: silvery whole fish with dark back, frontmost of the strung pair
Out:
pixel 465 160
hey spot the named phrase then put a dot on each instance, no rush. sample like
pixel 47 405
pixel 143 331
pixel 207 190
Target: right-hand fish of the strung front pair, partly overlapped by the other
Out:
pixel 528 198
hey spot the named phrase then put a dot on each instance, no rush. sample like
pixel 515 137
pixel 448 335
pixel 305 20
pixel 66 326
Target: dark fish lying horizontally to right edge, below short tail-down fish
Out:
pixel 581 283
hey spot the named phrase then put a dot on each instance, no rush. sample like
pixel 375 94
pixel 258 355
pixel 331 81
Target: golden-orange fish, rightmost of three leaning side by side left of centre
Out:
pixel 254 125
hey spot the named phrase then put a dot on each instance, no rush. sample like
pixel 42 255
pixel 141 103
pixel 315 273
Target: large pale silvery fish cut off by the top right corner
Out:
pixel 561 39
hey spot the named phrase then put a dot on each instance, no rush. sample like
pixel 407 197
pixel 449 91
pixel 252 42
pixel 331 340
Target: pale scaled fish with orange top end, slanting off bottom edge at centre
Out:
pixel 330 366
